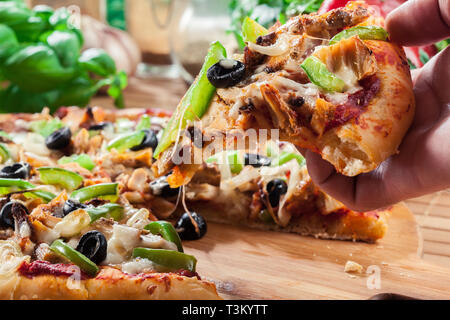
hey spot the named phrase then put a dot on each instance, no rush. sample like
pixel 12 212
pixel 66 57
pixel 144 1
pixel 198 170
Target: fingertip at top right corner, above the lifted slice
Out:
pixel 419 22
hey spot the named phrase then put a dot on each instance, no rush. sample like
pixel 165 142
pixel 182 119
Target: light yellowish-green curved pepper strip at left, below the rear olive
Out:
pixel 57 176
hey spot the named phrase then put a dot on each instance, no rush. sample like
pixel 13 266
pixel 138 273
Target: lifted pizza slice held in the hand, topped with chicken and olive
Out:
pixel 333 83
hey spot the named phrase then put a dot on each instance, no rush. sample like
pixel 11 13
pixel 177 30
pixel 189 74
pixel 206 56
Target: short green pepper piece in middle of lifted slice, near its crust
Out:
pixel 318 73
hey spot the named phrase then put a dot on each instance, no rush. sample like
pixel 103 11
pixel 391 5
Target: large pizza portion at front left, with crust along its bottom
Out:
pixel 67 229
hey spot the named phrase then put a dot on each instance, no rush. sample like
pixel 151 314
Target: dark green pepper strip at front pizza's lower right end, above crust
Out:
pixel 168 259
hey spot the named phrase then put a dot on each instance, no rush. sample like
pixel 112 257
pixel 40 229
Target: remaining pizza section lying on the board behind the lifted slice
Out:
pixel 267 187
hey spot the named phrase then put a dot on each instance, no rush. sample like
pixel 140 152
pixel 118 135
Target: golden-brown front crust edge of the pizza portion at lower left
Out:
pixel 110 284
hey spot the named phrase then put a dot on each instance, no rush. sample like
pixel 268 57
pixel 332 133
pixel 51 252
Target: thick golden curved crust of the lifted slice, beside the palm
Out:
pixel 362 144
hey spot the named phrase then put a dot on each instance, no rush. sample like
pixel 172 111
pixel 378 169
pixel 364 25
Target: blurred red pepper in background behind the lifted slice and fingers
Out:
pixel 384 7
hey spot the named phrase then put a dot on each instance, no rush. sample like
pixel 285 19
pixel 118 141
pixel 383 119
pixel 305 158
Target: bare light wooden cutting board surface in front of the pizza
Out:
pixel 252 264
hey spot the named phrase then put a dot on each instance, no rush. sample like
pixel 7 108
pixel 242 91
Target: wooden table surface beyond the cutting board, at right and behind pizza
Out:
pixel 432 212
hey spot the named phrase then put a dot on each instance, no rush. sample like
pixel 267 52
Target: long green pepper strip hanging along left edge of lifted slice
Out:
pixel 195 102
